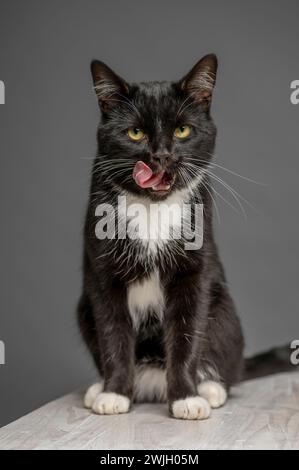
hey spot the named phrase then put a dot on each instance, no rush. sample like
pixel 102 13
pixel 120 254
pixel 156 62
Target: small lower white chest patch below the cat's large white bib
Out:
pixel 145 297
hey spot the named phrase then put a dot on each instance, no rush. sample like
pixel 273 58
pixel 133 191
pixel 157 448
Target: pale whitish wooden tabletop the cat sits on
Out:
pixel 261 414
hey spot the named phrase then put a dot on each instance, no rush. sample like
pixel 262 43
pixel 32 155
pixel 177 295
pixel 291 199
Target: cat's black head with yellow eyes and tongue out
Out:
pixel 155 137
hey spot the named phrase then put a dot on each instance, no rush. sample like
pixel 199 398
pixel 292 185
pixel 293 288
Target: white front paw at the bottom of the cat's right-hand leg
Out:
pixel 191 408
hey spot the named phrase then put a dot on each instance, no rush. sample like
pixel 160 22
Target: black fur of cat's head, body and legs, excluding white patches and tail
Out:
pixel 200 329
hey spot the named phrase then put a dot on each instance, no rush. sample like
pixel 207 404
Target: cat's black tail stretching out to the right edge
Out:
pixel 271 362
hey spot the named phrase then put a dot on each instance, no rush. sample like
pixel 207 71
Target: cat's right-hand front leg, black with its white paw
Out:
pixel 183 323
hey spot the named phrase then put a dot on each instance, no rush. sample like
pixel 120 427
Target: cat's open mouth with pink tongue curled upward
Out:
pixel 144 177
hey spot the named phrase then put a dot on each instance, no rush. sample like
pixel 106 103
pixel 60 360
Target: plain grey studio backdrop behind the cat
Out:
pixel 47 137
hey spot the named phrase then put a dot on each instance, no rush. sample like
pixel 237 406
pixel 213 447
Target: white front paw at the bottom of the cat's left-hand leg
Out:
pixel 110 404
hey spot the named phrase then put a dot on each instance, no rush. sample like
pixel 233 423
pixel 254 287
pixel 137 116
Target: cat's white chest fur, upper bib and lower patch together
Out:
pixel 146 296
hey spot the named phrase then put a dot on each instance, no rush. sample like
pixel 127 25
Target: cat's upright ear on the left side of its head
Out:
pixel 108 86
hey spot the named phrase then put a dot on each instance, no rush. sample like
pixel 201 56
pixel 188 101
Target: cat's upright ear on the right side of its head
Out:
pixel 200 81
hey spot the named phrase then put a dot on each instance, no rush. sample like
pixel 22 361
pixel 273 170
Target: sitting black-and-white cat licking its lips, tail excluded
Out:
pixel 158 318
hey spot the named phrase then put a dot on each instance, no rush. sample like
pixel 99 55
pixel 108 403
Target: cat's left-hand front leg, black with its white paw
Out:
pixel 116 342
